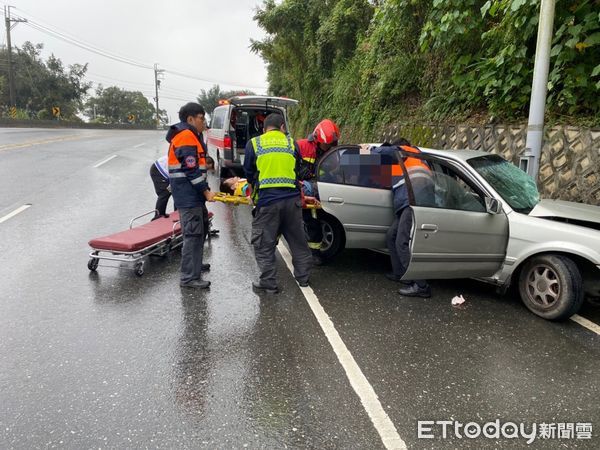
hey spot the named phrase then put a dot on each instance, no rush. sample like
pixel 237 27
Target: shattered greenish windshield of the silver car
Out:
pixel 516 187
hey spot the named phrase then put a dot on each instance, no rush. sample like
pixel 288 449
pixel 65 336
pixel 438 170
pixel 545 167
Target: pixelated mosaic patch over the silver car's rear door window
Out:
pixel 362 168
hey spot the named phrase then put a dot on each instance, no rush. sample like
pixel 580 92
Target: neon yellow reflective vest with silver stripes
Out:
pixel 275 160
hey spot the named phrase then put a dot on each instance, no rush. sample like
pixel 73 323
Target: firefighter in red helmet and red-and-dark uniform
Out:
pixel 325 136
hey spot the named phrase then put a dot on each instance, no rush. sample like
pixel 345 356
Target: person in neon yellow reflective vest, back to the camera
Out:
pixel 271 162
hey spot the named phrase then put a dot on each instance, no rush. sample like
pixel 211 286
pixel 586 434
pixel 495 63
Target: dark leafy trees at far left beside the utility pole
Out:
pixel 41 85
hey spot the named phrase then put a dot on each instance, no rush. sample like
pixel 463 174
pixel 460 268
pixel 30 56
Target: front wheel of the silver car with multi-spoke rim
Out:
pixel 551 287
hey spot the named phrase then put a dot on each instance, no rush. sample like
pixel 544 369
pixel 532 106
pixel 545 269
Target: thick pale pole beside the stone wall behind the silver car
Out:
pixel 537 106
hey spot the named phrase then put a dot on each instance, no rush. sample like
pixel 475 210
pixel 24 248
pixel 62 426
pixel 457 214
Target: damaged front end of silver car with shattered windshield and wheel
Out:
pixel 553 251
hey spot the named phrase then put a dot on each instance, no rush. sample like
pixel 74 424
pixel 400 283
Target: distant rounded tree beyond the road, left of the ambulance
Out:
pixel 114 105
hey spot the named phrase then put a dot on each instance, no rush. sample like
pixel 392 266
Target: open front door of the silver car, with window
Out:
pixel 456 233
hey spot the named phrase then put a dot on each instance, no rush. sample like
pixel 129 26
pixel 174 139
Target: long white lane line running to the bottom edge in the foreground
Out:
pixel 383 424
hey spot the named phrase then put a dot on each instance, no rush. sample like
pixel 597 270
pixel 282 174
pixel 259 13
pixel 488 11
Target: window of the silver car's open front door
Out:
pixel 451 190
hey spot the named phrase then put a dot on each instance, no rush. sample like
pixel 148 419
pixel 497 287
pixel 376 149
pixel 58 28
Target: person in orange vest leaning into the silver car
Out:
pixel 398 235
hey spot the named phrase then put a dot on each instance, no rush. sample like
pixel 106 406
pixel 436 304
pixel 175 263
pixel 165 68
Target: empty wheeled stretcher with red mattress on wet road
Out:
pixel 134 245
